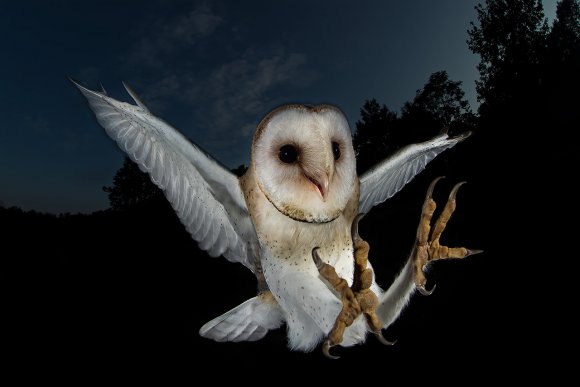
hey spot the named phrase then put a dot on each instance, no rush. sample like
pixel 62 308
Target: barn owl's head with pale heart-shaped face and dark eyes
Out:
pixel 304 161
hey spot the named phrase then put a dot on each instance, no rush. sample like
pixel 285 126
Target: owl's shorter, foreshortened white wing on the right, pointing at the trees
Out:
pixel 388 177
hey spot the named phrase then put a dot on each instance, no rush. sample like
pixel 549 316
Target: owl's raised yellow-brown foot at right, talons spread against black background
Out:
pixel 427 246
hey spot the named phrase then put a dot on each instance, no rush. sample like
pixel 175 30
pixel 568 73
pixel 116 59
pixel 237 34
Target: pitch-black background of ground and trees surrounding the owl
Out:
pixel 124 291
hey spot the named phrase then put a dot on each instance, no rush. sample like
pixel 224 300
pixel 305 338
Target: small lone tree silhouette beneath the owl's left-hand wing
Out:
pixel 131 188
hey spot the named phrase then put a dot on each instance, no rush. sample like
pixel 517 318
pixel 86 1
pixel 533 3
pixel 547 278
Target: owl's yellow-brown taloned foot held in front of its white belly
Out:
pixel 357 299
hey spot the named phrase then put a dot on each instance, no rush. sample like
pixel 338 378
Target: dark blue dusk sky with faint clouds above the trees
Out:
pixel 212 69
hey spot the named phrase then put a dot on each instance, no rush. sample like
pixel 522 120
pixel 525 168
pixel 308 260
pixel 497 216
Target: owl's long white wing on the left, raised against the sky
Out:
pixel 206 196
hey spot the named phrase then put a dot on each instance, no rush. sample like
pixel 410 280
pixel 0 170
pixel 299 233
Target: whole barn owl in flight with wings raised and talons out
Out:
pixel 292 218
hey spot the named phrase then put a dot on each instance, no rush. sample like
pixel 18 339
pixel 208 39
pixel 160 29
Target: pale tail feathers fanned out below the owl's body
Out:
pixel 249 321
